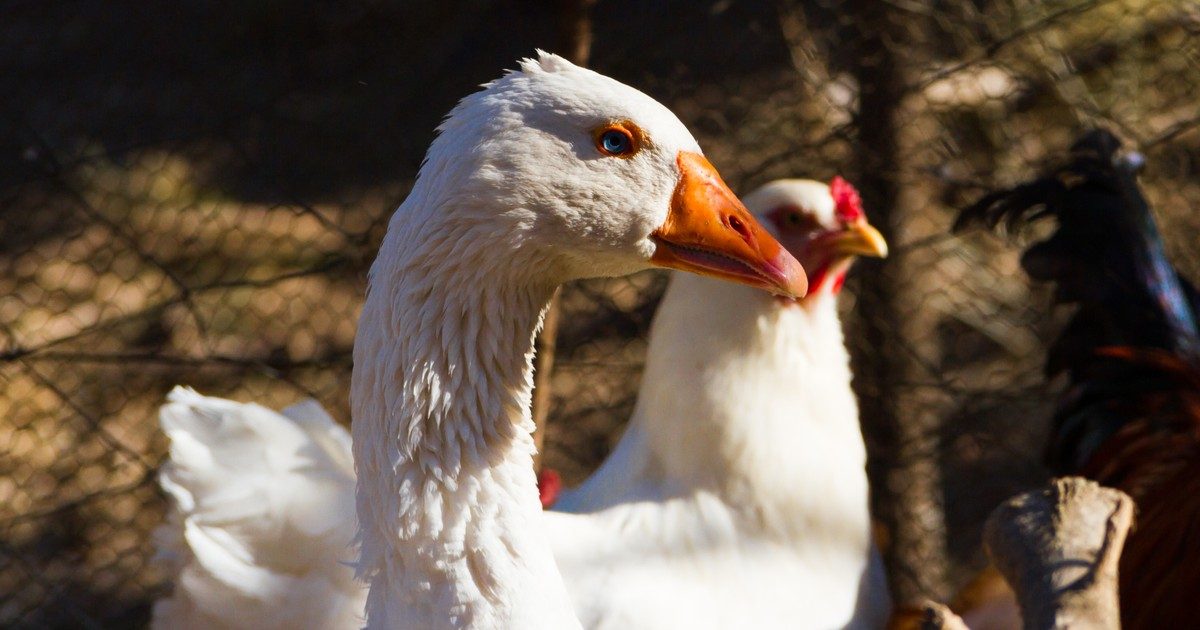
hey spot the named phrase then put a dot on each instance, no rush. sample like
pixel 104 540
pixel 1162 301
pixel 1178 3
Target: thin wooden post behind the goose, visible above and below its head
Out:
pixel 577 29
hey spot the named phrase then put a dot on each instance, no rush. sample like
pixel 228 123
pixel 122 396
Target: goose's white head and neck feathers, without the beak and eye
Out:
pixel 513 201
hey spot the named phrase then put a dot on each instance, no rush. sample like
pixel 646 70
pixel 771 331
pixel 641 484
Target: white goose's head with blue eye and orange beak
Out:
pixel 586 177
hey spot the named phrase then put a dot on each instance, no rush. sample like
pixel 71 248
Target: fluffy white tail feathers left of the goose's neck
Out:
pixel 261 519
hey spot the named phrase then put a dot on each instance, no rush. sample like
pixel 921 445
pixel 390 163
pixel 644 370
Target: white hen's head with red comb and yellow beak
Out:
pixel 823 226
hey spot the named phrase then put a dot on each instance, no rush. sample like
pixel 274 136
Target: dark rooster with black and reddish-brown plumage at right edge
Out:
pixel 1131 415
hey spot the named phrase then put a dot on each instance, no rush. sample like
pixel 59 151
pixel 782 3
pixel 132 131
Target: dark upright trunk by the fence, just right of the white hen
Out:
pixel 902 430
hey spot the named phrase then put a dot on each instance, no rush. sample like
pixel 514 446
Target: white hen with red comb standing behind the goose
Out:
pixel 739 497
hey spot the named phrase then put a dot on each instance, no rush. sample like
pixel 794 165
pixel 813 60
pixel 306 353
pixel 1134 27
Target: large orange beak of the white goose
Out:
pixel 710 232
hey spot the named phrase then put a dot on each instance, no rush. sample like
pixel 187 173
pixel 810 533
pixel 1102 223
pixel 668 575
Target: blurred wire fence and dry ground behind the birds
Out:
pixel 191 193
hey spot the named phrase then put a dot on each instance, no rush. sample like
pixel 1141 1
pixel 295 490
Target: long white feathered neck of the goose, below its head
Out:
pixel 447 499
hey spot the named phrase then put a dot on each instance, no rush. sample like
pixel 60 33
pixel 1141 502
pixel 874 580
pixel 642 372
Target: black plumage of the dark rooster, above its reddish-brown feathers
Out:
pixel 1106 255
